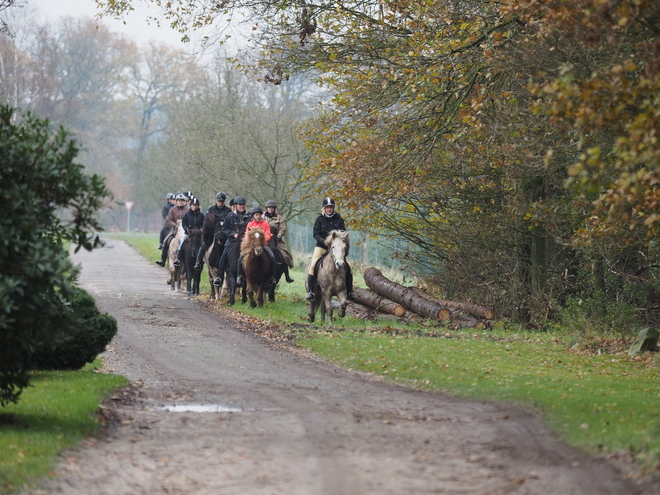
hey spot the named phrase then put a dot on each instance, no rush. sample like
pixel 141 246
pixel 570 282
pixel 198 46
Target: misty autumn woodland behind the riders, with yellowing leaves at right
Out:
pixel 512 144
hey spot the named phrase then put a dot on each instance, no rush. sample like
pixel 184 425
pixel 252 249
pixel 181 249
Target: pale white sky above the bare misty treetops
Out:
pixel 134 24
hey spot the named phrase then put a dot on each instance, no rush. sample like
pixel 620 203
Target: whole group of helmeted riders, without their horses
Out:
pixel 231 224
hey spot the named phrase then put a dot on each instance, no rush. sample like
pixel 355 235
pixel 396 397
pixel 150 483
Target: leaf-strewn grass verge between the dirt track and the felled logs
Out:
pixel 598 402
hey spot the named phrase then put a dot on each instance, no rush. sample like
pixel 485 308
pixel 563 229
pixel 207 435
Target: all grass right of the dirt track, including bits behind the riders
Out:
pixel 602 403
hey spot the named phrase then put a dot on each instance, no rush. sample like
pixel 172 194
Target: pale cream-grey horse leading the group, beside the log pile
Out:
pixel 331 276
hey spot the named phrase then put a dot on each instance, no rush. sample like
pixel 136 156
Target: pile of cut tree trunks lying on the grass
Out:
pixel 399 301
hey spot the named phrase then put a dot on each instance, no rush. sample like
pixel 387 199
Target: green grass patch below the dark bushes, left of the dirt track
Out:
pixel 55 413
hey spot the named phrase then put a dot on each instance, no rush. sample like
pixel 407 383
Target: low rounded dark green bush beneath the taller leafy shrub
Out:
pixel 95 331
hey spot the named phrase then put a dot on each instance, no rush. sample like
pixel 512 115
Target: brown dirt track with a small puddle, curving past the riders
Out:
pixel 290 424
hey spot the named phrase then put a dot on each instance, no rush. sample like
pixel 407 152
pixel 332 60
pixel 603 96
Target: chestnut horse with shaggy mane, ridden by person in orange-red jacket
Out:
pixel 256 265
